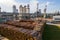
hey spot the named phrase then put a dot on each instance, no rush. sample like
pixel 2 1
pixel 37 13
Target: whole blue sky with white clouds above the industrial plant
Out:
pixel 52 5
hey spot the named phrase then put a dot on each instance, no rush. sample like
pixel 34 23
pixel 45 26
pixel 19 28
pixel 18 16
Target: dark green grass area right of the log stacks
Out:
pixel 51 33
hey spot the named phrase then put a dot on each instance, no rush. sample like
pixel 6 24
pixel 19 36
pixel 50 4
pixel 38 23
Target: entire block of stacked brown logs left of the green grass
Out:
pixel 22 30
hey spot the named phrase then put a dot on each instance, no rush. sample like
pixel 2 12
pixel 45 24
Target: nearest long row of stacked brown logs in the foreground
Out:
pixel 14 33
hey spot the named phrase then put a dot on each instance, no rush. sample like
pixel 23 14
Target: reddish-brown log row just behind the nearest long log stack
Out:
pixel 23 24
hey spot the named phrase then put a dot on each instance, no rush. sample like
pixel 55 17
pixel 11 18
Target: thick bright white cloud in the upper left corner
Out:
pixel 6 5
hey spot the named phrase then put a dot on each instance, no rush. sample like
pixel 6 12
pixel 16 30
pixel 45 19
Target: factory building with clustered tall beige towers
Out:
pixel 24 12
